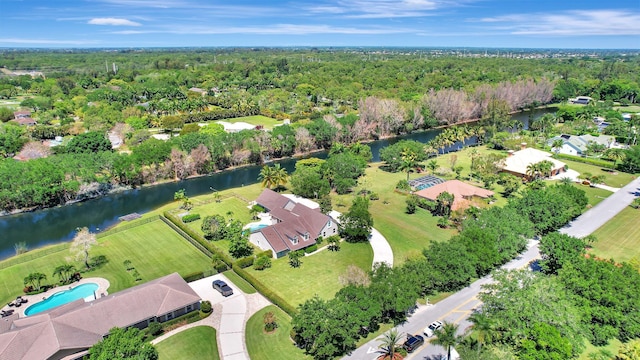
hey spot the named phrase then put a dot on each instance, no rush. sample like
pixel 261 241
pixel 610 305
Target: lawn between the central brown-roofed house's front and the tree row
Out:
pixel 318 273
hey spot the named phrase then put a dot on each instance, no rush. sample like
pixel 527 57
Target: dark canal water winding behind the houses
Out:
pixel 59 224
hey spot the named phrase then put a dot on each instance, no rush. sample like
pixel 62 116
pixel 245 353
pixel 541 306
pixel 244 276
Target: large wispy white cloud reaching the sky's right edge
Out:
pixel 569 23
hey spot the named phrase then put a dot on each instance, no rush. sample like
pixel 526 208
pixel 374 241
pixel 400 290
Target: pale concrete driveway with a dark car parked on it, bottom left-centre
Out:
pixel 229 317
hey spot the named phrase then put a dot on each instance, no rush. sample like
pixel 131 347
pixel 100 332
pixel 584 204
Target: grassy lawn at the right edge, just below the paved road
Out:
pixel 619 239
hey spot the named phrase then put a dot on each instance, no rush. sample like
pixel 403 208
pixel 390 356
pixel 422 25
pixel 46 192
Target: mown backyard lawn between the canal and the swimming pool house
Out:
pixel 153 249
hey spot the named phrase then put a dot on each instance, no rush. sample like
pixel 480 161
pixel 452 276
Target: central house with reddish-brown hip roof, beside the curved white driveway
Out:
pixel 293 225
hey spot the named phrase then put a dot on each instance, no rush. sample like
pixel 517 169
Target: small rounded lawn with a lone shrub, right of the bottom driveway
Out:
pixel 263 346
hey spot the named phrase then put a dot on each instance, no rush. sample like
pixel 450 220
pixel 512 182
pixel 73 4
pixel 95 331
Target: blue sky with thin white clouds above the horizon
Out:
pixel 597 24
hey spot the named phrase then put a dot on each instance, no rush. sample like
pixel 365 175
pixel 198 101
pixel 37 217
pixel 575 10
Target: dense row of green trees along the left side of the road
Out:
pixel 488 239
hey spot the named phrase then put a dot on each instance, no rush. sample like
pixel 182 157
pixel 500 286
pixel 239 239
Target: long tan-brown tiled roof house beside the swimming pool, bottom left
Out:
pixel 68 331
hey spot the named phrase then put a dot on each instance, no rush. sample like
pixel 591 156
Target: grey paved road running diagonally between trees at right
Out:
pixel 457 307
